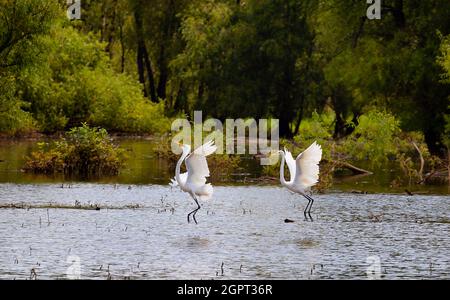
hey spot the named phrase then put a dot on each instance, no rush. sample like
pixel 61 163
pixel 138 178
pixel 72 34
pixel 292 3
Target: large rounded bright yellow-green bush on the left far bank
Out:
pixel 72 81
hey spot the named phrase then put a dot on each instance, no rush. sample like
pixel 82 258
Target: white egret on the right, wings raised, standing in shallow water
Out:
pixel 304 172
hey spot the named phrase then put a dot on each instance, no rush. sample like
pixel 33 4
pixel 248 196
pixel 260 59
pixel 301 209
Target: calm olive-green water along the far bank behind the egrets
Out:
pixel 144 167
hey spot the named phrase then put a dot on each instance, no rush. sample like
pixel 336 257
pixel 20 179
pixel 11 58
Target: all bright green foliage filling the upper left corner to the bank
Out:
pixel 53 77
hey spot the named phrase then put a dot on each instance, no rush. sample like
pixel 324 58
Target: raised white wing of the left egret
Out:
pixel 197 165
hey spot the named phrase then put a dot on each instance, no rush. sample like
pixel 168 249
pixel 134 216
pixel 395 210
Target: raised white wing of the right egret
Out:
pixel 307 162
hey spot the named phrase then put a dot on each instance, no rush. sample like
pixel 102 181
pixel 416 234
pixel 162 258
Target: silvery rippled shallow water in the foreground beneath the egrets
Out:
pixel 243 227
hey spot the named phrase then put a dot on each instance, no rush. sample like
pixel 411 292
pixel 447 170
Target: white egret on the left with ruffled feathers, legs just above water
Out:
pixel 194 180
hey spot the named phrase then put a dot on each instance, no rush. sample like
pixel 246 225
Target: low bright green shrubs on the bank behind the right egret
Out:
pixel 376 141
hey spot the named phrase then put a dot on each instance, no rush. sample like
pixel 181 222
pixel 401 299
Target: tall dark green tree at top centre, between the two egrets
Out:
pixel 249 59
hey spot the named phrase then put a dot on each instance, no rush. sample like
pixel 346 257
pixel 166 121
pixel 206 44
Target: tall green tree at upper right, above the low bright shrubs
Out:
pixel 389 62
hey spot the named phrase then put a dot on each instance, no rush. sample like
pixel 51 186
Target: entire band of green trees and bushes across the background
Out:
pixel 236 59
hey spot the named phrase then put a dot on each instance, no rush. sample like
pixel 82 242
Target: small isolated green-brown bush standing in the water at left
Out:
pixel 85 151
